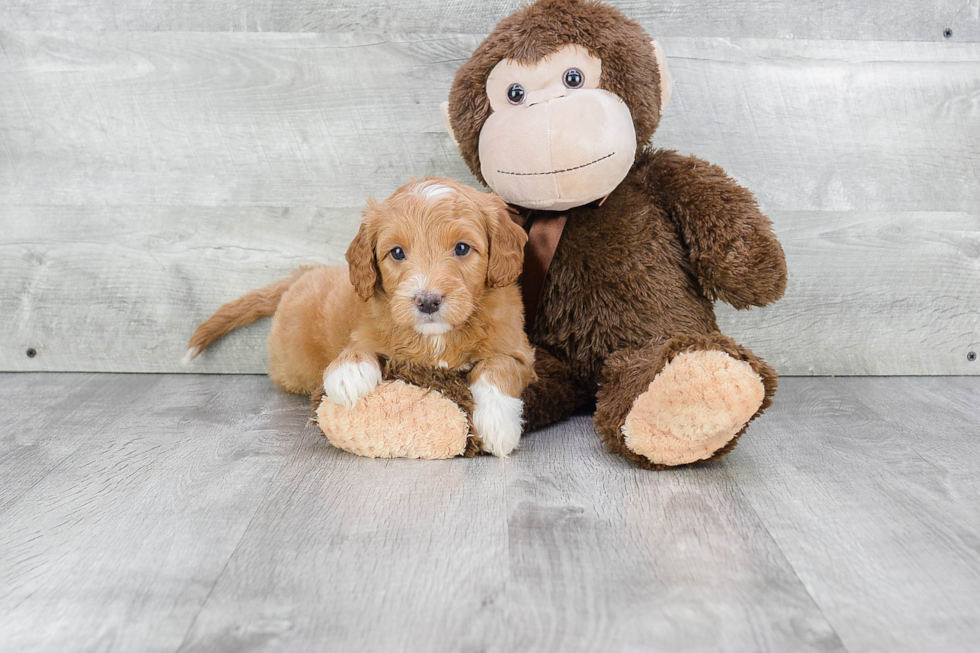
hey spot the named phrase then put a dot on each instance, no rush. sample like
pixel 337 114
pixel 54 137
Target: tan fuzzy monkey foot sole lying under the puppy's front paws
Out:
pixel 397 420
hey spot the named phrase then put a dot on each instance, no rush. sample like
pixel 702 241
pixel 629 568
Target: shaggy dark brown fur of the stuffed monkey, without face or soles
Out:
pixel 633 281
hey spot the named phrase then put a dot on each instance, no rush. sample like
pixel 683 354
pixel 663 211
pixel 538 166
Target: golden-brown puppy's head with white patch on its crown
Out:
pixel 431 250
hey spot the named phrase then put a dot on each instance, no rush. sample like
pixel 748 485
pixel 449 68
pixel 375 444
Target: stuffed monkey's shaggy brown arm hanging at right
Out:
pixel 733 250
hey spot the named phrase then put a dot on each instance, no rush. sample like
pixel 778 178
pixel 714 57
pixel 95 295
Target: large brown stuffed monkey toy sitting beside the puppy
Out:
pixel 628 246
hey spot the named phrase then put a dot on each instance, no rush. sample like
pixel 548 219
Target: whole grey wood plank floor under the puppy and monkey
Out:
pixel 202 513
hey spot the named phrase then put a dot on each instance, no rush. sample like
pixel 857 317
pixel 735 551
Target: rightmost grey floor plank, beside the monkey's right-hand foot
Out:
pixel 864 485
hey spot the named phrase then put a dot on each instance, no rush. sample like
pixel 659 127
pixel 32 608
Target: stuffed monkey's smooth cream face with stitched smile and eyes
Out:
pixel 555 140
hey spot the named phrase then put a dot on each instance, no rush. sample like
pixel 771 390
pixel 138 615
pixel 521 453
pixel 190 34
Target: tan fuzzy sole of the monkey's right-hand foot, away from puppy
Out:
pixel 693 408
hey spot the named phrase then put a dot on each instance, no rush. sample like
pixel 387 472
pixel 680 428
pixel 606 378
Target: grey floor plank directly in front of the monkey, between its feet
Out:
pixel 606 557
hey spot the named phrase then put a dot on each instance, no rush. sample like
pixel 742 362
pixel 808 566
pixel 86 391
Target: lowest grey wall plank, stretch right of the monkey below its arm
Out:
pixel 871 294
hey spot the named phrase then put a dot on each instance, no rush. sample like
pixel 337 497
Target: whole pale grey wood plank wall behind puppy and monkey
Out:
pixel 158 161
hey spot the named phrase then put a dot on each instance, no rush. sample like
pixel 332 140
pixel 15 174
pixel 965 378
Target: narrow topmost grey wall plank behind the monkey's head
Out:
pixel 870 19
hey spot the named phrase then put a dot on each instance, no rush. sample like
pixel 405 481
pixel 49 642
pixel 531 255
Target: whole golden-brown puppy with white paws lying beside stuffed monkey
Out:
pixel 431 280
